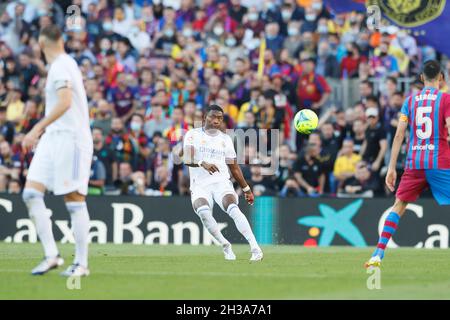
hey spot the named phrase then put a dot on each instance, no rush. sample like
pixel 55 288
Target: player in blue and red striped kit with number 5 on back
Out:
pixel 428 162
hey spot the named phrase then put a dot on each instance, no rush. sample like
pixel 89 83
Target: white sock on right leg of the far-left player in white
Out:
pixel 80 225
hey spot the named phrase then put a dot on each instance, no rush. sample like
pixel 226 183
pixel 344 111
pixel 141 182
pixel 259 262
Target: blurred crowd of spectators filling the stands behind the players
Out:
pixel 151 67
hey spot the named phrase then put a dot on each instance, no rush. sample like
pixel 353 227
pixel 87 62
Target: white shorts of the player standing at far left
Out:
pixel 61 163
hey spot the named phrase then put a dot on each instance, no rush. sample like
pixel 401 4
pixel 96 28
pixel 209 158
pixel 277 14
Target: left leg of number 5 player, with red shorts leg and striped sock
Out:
pixel 412 183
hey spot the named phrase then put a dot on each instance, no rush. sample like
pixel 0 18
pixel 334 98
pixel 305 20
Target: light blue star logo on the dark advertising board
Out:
pixel 332 222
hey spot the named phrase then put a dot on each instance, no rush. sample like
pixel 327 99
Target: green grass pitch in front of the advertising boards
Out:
pixel 200 272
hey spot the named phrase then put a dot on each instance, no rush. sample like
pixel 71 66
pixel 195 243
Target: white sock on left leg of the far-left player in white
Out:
pixel 34 200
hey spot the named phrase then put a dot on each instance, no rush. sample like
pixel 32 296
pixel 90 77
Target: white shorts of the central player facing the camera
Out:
pixel 213 193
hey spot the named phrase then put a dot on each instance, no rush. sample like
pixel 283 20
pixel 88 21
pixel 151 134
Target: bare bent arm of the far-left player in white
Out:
pixel 64 101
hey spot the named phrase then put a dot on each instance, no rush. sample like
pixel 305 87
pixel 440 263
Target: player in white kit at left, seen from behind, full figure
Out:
pixel 63 155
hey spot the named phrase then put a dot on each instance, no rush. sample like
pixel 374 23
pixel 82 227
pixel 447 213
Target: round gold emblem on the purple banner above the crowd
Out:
pixel 410 13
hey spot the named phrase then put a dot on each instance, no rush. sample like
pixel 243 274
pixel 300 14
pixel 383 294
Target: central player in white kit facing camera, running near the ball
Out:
pixel 211 157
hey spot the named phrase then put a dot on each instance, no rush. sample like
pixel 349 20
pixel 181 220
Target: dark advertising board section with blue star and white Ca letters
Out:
pixel 326 222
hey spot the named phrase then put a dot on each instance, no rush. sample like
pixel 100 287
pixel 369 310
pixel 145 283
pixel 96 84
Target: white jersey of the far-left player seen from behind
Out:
pixel 64 72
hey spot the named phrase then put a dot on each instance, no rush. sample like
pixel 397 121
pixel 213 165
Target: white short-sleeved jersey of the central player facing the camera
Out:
pixel 212 149
